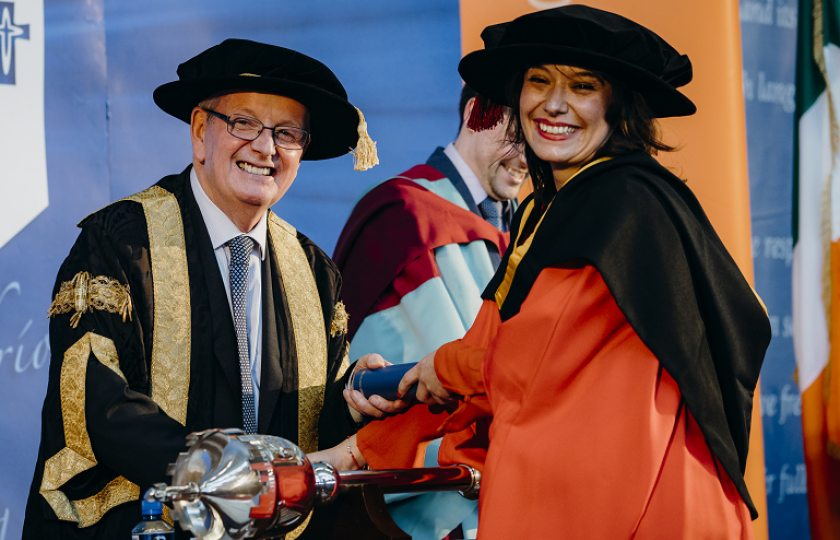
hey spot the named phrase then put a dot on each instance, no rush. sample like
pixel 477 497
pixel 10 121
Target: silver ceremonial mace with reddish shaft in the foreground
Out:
pixel 260 486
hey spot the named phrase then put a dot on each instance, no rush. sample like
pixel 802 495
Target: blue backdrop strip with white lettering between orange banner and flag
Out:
pixel 768 33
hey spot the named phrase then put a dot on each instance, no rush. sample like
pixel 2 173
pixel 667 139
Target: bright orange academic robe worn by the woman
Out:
pixel 590 437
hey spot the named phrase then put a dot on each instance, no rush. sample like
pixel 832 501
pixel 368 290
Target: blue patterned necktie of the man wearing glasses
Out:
pixel 240 251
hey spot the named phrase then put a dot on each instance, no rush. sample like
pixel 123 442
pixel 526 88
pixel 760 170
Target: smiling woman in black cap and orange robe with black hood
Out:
pixel 618 331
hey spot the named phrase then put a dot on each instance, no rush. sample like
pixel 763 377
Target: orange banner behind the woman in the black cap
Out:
pixel 712 143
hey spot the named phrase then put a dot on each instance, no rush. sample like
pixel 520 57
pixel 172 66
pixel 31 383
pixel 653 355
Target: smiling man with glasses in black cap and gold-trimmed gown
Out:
pixel 190 305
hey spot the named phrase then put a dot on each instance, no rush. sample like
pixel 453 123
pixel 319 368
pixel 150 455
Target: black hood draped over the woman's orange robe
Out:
pixel 642 228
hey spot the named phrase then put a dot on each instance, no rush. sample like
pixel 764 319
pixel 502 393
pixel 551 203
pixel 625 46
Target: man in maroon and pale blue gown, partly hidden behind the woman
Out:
pixel 416 254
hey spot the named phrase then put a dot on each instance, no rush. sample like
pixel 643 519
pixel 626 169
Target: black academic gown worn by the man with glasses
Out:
pixel 132 439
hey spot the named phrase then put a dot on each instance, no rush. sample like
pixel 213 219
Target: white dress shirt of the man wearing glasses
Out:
pixel 221 230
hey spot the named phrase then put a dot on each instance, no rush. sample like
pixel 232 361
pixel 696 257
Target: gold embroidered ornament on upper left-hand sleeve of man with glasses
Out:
pixel 84 292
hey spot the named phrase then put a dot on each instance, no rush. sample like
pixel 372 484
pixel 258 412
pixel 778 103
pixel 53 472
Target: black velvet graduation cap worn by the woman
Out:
pixel 589 38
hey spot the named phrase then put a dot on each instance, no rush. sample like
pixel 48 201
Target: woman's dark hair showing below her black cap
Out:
pixel 633 128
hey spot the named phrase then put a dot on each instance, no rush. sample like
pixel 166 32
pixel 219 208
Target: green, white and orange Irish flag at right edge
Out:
pixel 816 268
